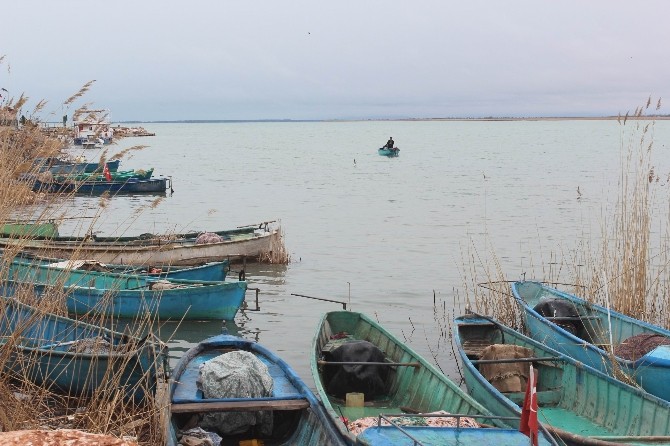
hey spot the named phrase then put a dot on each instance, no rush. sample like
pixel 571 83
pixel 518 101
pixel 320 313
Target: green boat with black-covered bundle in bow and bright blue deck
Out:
pixel 412 387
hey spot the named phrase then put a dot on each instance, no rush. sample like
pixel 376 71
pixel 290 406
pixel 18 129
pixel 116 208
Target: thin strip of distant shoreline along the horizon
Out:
pixel 488 119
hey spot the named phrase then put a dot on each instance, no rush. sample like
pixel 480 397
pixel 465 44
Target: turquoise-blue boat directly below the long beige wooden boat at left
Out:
pixel 128 295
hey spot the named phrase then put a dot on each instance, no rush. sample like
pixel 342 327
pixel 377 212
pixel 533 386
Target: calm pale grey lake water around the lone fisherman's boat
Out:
pixel 395 237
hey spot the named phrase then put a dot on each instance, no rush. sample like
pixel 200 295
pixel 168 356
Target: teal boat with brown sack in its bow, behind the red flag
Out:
pixel 579 404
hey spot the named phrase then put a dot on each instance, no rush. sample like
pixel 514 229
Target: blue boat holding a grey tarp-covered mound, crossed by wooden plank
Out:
pixel 298 417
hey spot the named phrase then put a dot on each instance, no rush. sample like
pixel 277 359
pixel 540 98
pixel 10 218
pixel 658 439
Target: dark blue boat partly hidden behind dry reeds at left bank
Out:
pixel 66 355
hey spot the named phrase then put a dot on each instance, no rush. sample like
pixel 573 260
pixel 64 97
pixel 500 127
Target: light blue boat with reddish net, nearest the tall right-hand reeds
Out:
pixel 583 334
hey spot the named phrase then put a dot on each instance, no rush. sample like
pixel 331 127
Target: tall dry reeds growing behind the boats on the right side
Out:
pixel 627 268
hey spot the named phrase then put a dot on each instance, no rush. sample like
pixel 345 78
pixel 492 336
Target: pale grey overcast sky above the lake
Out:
pixel 340 59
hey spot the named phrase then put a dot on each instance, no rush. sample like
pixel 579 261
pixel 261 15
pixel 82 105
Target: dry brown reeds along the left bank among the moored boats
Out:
pixel 27 405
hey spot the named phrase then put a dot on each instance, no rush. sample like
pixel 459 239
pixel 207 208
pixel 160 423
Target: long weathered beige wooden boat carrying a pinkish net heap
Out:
pixel 247 244
